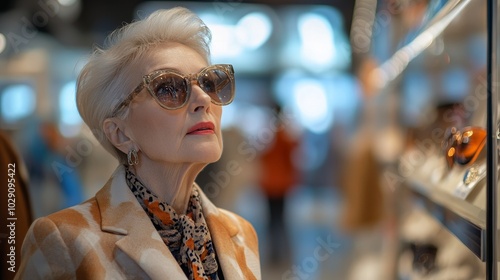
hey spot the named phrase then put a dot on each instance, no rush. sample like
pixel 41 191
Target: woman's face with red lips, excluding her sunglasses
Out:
pixel 166 136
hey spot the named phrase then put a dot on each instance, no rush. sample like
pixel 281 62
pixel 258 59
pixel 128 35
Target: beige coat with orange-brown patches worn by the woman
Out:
pixel 111 237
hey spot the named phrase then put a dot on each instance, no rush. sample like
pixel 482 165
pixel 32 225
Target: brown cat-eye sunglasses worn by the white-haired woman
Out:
pixel 171 90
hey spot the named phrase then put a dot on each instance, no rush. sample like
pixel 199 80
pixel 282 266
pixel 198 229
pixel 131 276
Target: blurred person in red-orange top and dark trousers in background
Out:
pixel 277 176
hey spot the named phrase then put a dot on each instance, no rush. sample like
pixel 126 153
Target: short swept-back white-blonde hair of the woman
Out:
pixel 106 80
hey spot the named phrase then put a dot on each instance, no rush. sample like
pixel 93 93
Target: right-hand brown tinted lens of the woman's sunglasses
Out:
pixel 218 85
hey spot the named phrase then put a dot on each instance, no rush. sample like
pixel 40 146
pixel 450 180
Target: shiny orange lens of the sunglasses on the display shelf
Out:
pixel 470 146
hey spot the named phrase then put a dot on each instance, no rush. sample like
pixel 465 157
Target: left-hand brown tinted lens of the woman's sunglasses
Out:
pixel 171 90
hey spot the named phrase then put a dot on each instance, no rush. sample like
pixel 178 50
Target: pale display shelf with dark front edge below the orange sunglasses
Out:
pixel 433 188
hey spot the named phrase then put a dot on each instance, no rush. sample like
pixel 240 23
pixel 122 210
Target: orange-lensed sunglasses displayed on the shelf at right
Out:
pixel 463 147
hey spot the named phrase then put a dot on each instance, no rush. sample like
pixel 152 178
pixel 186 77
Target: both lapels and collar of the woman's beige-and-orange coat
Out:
pixel 122 214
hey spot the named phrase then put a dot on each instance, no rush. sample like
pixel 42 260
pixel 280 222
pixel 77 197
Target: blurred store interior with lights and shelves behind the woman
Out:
pixel 384 109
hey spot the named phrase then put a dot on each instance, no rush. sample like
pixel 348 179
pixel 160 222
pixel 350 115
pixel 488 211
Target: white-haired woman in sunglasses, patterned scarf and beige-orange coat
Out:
pixel 153 101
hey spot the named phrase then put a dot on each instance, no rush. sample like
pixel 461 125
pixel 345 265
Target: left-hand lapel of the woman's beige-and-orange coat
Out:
pixel 121 214
